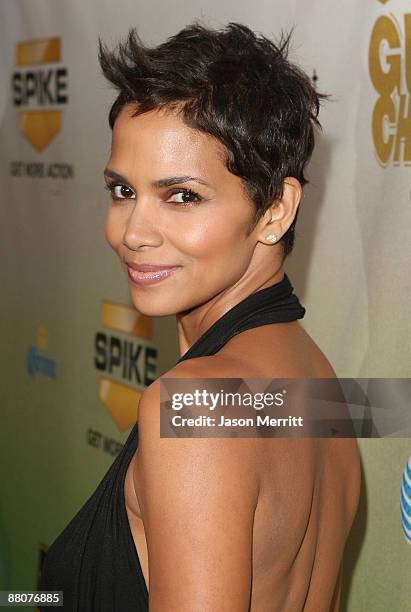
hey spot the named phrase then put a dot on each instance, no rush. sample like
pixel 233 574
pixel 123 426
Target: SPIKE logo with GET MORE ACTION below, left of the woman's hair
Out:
pixel 40 92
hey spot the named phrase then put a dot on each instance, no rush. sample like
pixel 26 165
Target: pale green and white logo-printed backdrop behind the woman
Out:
pixel 76 355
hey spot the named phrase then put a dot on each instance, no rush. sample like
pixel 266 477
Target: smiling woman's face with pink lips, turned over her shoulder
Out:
pixel 160 216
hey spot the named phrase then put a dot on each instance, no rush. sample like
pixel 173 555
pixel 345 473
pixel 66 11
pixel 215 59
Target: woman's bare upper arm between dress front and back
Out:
pixel 197 497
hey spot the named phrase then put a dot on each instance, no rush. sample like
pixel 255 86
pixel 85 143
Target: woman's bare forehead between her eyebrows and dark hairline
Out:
pixel 160 138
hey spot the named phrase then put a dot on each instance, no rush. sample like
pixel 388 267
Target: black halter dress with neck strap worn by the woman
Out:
pixel 94 560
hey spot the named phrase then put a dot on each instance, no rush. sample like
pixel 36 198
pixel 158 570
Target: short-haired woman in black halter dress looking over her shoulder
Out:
pixel 212 131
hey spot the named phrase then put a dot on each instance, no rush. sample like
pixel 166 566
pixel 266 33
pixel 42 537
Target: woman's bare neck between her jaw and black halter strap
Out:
pixel 191 324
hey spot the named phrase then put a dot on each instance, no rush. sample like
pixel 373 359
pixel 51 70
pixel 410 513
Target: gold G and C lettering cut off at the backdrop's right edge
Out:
pixel 389 61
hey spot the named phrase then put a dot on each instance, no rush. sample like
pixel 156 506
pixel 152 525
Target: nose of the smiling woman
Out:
pixel 142 227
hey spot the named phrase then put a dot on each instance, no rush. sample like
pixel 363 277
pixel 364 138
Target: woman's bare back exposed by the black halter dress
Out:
pixel 309 486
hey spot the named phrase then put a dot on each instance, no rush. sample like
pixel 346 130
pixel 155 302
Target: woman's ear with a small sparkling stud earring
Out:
pixel 278 218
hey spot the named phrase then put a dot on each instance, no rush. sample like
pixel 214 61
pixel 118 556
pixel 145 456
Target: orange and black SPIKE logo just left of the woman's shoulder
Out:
pixel 126 359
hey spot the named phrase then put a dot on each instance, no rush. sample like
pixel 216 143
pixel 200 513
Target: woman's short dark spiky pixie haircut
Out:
pixel 233 85
